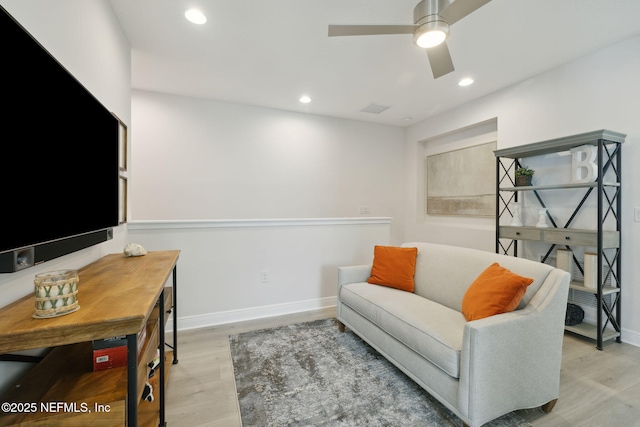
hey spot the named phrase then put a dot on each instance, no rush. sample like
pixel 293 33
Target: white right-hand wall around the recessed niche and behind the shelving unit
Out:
pixel 599 91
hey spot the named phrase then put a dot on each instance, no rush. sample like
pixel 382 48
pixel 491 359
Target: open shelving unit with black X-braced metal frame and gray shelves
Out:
pixel 606 190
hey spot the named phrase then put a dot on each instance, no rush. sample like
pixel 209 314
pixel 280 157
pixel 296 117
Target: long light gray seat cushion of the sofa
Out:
pixel 428 328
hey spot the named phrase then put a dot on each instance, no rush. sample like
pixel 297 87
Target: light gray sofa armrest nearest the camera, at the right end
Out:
pixel 512 360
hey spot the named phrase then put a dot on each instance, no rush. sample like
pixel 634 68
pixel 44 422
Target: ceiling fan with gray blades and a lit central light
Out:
pixel 432 19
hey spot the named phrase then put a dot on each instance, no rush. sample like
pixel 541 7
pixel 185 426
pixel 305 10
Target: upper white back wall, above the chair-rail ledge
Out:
pixel 204 159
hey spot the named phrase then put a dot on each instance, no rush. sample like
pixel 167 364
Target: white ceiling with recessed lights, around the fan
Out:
pixel 270 52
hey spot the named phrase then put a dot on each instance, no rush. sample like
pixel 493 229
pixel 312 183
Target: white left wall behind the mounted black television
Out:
pixel 86 38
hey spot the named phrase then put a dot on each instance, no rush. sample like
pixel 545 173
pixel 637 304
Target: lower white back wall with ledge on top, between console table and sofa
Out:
pixel 222 263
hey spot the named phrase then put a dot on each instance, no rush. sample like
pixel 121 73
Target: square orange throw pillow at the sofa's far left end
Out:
pixel 394 267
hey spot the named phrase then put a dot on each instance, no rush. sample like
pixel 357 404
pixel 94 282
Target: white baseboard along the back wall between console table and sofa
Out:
pixel 232 316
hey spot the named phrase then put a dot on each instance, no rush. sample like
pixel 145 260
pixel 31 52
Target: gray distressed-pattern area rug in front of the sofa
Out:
pixel 310 374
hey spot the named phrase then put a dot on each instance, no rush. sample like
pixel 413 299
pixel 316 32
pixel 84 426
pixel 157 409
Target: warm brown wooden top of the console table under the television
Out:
pixel 116 295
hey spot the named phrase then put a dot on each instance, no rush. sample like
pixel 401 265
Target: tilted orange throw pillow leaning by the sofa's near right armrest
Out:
pixel 496 290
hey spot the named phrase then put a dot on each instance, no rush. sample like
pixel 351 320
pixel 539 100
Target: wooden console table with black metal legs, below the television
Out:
pixel 118 296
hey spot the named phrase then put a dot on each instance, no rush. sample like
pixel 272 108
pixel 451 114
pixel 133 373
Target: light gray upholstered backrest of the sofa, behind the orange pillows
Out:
pixel 443 273
